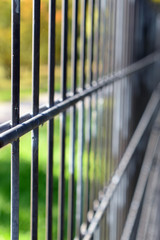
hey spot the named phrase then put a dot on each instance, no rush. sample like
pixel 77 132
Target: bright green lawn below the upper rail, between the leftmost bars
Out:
pixel 25 168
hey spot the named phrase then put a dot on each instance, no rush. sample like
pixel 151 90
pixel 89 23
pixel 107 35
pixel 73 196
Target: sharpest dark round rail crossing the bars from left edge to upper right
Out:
pixel 19 130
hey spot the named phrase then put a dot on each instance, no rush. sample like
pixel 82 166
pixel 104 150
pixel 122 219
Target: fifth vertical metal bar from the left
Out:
pixel 73 123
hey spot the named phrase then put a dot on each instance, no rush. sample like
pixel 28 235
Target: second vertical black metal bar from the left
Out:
pixel 35 109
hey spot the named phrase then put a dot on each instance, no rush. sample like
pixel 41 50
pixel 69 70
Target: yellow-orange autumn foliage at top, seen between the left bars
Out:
pixel 26 33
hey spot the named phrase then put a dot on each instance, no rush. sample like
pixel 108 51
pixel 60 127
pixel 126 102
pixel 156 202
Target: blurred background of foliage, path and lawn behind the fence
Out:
pixel 146 40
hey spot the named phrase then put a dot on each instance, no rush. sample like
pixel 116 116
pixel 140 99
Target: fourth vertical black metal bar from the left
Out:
pixel 63 117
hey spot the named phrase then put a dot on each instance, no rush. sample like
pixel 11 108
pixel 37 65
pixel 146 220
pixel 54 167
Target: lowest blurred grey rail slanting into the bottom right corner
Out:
pixel 142 186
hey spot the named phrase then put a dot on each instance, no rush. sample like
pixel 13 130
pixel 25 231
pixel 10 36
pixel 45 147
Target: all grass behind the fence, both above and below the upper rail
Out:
pixel 25 167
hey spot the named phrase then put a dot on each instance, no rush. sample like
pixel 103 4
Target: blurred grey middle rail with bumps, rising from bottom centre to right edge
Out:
pixel 152 108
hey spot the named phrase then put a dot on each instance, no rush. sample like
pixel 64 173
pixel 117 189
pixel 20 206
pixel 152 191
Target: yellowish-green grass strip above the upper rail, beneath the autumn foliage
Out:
pixel 26 82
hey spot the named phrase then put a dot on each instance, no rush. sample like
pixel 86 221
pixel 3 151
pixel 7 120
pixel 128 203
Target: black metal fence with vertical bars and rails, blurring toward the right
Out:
pixel 101 109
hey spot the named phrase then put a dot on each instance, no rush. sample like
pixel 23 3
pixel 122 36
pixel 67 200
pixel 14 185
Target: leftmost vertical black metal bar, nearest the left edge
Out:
pixel 15 76
